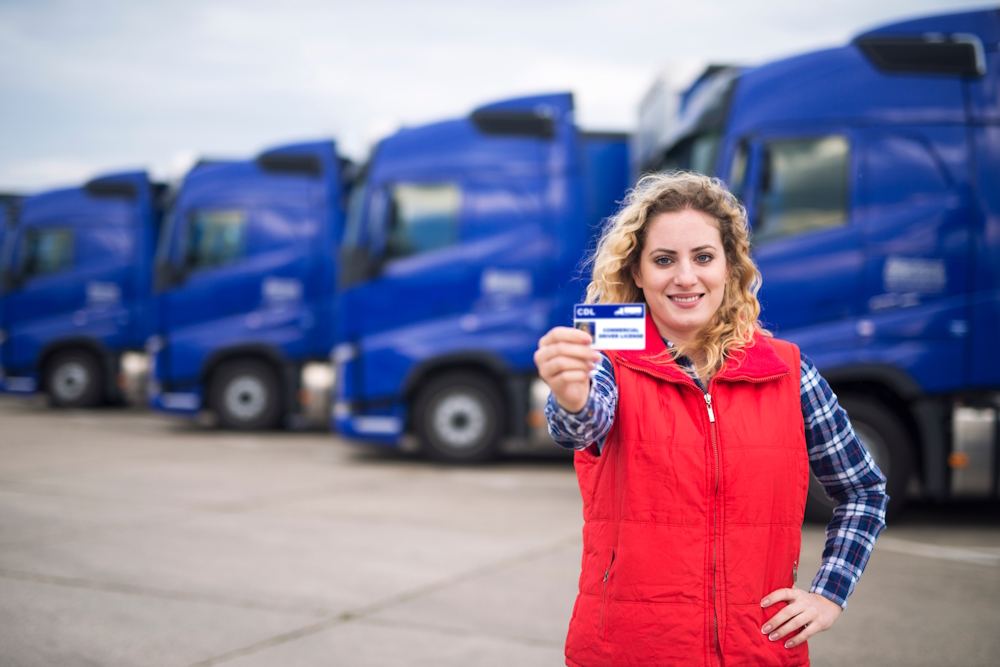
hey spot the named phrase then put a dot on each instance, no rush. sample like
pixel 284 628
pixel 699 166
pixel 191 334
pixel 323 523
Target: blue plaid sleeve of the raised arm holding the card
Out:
pixel 591 425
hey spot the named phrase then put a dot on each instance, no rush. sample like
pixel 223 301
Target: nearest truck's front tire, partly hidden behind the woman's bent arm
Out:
pixel 889 443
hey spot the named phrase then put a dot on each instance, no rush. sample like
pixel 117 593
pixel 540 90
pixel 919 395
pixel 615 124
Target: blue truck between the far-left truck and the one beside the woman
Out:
pixel 245 275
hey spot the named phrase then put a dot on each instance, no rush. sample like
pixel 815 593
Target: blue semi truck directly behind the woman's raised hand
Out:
pixel 463 245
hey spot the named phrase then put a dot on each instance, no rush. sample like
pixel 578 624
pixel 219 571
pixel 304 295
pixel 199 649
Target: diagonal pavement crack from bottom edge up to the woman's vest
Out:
pixel 393 601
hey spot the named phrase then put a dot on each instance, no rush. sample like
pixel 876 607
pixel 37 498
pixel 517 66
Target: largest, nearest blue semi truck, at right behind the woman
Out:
pixel 870 176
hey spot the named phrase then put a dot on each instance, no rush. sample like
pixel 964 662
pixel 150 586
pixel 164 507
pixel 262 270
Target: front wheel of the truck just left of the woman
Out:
pixel 457 418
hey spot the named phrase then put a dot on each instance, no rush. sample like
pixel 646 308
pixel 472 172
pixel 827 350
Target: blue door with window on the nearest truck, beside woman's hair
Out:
pixel 800 189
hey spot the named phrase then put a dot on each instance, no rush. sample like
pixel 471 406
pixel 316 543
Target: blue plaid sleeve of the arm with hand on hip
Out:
pixel 848 475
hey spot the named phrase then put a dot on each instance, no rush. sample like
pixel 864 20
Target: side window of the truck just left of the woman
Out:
pixel 422 218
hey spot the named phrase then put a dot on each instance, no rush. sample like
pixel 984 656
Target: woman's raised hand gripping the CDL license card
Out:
pixel 564 361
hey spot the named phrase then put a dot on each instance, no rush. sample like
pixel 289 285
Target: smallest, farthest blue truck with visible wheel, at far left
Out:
pixel 76 276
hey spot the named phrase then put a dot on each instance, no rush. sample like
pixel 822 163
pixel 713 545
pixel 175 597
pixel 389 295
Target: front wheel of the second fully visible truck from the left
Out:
pixel 245 395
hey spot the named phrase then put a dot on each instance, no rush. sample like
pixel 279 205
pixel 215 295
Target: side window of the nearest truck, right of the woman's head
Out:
pixel 803 186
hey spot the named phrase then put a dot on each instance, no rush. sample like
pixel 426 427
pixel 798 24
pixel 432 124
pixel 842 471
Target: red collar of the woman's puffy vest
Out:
pixel 756 363
